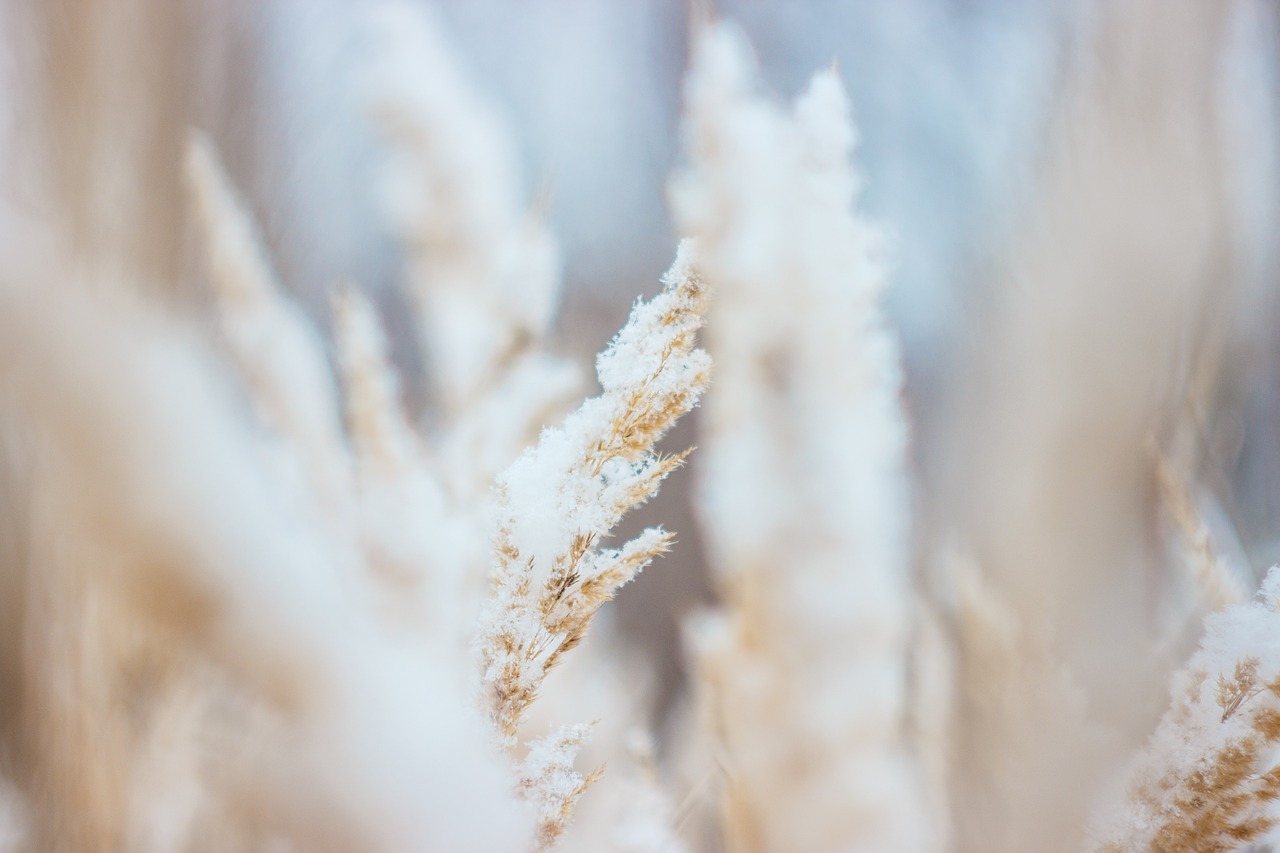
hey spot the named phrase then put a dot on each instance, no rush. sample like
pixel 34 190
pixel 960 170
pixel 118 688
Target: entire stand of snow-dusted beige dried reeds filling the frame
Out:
pixel 282 573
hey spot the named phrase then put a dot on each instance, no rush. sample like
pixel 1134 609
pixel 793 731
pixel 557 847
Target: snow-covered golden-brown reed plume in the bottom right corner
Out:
pixel 1210 777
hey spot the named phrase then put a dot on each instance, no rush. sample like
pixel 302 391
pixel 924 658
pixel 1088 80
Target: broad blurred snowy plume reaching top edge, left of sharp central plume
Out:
pixel 483 271
